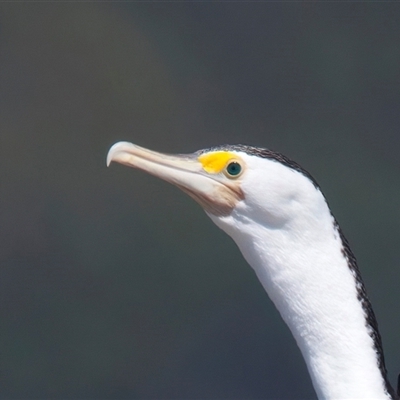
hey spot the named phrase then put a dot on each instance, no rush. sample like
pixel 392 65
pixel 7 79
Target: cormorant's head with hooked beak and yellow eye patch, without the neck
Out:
pixel 233 184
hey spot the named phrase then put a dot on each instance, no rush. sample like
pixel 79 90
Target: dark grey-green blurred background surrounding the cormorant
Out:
pixel 114 285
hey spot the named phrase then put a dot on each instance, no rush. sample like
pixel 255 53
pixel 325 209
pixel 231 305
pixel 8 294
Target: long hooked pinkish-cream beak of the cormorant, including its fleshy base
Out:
pixel 215 194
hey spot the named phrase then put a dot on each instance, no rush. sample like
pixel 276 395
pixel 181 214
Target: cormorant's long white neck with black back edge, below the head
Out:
pixel 311 276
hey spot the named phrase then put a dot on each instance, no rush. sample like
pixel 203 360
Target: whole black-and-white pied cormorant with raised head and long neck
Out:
pixel 277 215
